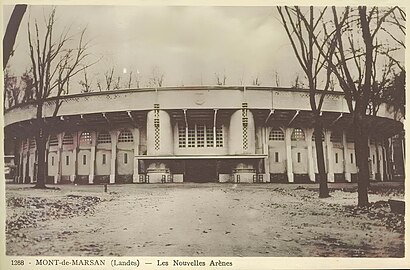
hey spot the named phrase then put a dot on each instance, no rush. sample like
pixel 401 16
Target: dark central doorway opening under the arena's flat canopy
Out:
pixel 200 171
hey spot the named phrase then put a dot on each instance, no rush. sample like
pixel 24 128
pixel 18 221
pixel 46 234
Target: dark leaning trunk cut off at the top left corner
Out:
pixel 11 32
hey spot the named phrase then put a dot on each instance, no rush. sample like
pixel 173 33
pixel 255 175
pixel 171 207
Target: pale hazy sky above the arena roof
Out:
pixel 188 44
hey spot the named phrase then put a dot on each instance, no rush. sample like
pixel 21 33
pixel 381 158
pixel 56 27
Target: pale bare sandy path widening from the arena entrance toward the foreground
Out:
pixel 213 220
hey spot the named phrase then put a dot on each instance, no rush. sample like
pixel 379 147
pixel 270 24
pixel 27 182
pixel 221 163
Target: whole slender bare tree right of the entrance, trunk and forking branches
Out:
pixel 309 45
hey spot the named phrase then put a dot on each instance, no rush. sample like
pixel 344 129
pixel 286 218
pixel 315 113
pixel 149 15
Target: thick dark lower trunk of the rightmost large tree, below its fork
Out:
pixel 362 160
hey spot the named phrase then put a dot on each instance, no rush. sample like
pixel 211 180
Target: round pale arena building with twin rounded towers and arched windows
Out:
pixel 196 134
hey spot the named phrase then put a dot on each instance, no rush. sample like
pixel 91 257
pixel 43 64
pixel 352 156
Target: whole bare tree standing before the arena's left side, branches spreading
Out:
pixel 53 63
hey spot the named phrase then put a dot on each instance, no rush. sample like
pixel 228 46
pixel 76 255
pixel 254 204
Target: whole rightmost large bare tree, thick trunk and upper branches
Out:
pixel 355 65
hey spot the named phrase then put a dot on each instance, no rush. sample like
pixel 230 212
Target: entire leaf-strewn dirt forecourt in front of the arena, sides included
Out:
pixel 202 220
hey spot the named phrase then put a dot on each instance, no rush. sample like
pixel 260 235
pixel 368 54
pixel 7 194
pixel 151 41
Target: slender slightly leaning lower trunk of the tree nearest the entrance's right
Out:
pixel 323 188
